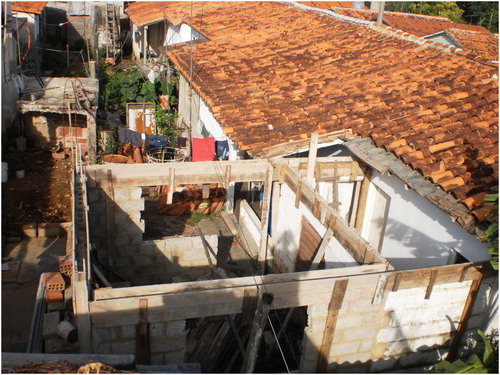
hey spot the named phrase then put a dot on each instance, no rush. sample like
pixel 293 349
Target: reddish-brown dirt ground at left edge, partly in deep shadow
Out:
pixel 43 195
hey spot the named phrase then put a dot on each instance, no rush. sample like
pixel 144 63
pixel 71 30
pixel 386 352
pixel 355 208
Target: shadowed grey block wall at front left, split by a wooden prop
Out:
pixel 167 341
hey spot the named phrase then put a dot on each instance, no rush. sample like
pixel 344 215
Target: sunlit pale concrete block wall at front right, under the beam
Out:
pixel 403 330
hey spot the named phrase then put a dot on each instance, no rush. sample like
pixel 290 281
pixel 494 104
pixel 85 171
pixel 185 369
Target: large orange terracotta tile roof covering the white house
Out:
pixel 303 71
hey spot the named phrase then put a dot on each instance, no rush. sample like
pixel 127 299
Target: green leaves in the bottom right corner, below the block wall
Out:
pixel 484 364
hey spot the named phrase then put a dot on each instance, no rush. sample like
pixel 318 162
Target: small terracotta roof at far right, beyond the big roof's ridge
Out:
pixel 480 43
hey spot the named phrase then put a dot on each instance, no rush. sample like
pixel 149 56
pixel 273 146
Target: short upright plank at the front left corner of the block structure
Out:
pixel 82 313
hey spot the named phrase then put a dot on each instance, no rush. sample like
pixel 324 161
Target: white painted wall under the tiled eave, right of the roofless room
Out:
pixel 419 234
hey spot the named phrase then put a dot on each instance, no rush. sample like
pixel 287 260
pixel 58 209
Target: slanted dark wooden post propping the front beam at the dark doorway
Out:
pixel 258 325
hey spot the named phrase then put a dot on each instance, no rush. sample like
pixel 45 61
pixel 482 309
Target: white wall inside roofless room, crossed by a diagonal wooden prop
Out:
pixel 288 235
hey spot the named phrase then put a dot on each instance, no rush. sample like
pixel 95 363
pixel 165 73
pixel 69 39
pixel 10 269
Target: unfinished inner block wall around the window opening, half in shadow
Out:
pixel 116 229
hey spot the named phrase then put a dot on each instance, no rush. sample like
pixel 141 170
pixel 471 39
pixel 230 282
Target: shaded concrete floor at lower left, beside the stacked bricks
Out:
pixel 33 256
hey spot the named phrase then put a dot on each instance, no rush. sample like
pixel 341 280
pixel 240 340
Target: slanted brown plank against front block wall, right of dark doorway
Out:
pixel 335 305
